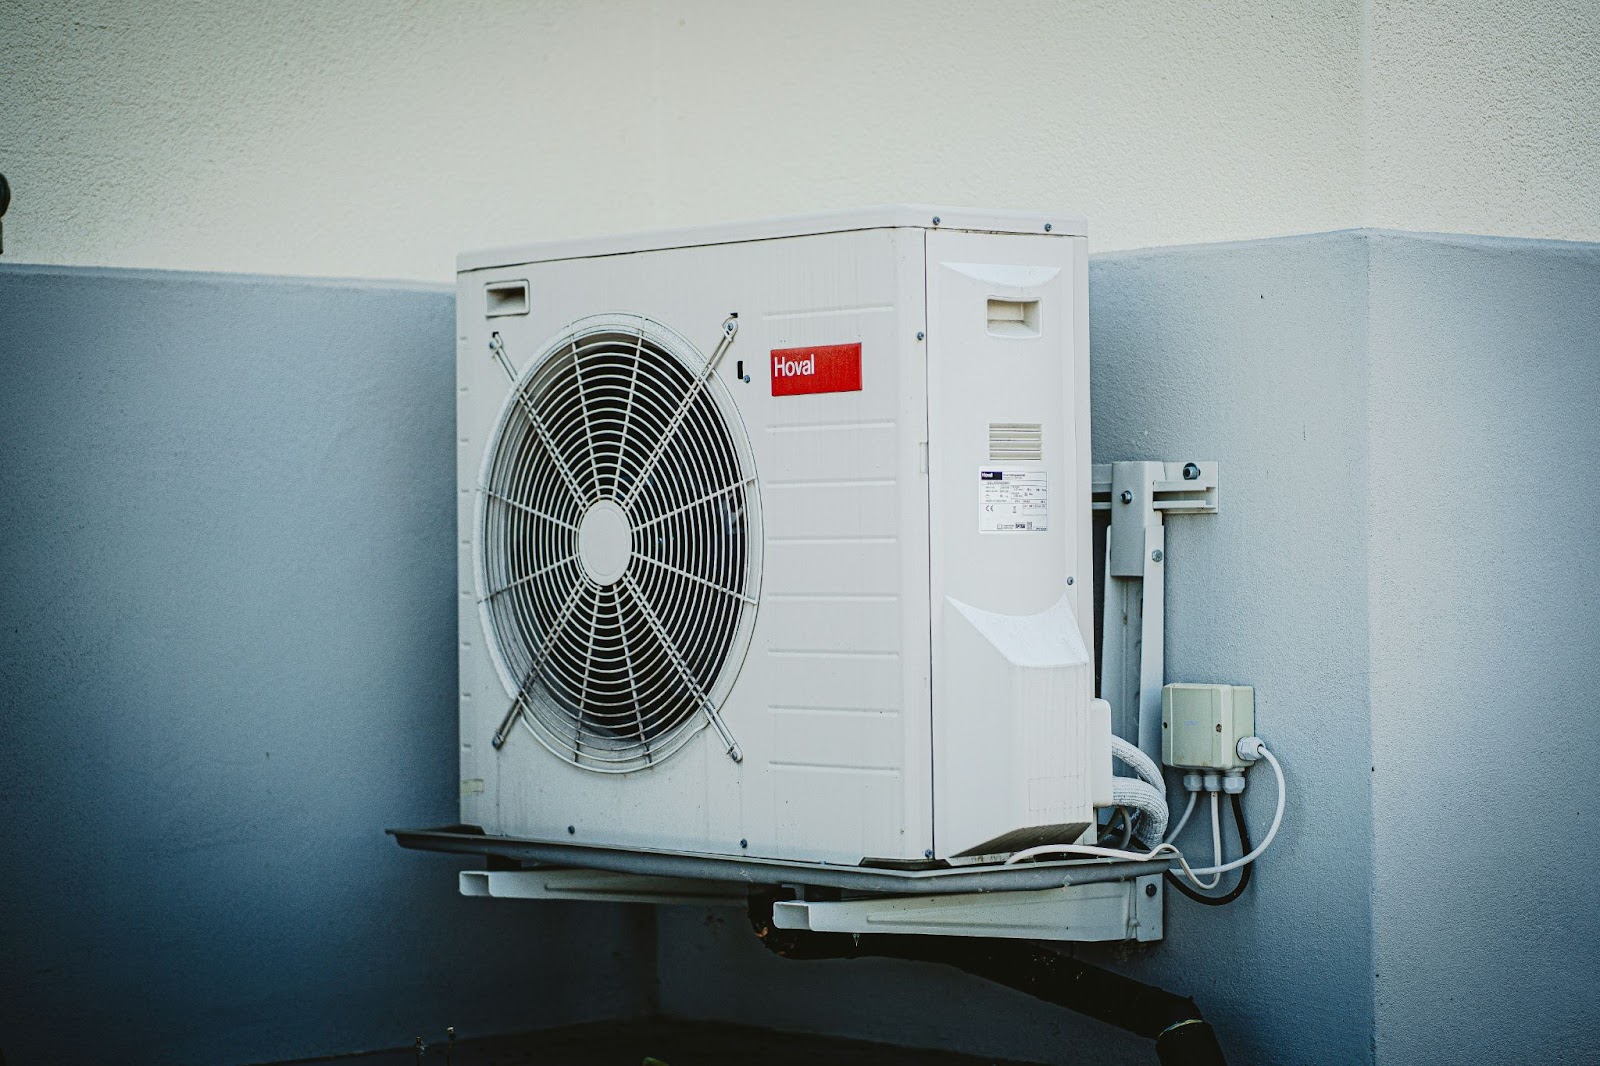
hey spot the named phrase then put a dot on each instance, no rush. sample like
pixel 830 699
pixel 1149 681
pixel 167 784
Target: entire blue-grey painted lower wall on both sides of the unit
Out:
pixel 228 532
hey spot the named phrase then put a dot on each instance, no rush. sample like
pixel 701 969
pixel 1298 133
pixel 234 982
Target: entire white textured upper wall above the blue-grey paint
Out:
pixel 378 138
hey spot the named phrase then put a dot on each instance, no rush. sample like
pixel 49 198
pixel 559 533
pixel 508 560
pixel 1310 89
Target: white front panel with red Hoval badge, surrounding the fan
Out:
pixel 831 707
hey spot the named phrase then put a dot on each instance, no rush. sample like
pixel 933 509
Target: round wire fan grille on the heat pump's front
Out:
pixel 618 543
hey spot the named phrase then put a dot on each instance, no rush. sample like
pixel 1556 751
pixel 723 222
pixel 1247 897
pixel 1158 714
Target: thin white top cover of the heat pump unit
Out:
pixel 892 217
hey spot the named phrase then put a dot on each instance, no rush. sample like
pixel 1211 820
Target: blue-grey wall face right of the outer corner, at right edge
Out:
pixel 1486 635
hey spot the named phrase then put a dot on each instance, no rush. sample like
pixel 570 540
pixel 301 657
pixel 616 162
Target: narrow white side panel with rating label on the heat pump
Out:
pixel 1009 494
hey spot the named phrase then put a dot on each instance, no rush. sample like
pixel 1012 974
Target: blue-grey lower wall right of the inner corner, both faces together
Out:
pixel 1404 567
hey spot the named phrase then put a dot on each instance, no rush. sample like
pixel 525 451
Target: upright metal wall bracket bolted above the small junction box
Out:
pixel 1134 631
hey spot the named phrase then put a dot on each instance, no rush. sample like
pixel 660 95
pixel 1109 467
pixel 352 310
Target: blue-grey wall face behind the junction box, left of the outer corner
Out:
pixel 1257 356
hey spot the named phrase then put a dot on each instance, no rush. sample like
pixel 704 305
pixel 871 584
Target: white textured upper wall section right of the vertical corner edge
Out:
pixel 1484 118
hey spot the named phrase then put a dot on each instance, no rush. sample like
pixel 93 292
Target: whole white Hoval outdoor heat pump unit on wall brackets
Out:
pixel 775 540
